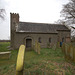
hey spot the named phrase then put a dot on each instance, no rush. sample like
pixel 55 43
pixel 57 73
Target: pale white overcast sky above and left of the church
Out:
pixel 41 11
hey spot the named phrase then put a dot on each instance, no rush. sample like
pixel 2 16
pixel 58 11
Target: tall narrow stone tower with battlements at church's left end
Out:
pixel 14 21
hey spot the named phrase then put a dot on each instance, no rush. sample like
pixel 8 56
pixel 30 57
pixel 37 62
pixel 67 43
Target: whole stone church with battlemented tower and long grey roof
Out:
pixel 28 33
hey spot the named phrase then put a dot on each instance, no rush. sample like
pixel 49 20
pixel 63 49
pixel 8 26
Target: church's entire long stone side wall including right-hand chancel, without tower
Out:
pixel 20 38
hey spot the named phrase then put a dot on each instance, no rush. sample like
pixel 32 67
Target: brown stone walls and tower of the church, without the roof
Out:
pixel 25 37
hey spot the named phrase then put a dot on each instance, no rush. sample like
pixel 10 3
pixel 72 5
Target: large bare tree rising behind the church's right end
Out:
pixel 68 14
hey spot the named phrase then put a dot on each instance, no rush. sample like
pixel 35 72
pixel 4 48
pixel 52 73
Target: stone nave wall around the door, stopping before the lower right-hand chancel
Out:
pixel 20 38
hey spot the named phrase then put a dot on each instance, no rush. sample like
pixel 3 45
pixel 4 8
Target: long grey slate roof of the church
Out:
pixel 39 27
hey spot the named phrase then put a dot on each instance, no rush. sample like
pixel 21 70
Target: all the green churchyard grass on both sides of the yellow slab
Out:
pixel 48 62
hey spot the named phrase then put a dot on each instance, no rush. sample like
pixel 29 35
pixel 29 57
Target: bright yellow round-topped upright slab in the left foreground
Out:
pixel 20 61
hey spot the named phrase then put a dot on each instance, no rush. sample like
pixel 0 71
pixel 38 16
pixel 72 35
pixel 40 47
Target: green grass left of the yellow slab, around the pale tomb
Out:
pixel 6 64
